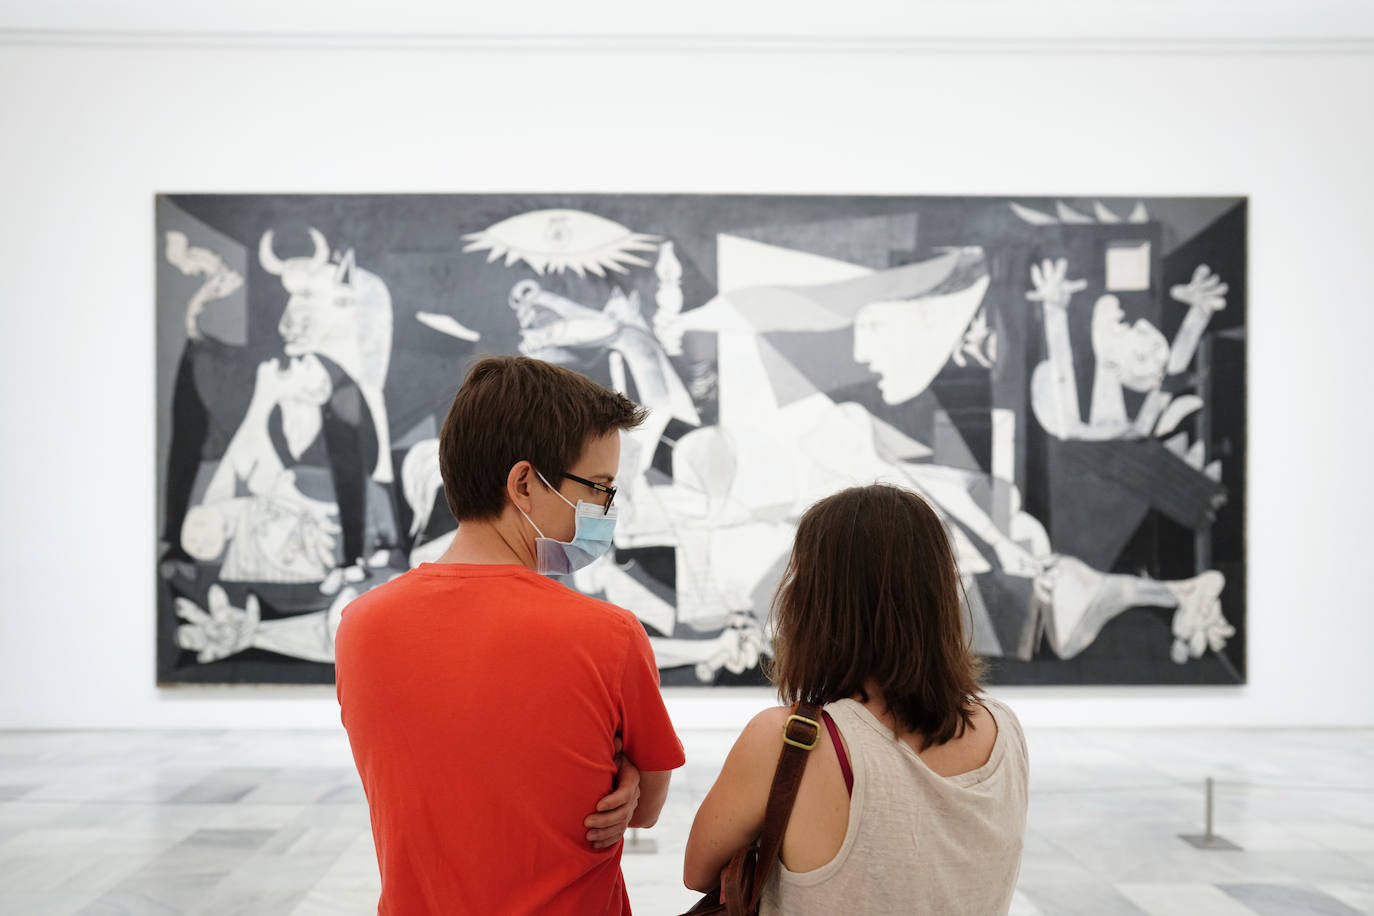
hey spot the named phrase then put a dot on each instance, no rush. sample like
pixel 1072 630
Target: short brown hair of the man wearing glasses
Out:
pixel 515 409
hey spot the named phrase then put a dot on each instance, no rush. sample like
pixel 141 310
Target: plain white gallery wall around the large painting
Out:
pixel 104 106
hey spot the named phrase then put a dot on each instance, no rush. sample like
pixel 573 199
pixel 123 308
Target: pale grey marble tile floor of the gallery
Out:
pixel 275 823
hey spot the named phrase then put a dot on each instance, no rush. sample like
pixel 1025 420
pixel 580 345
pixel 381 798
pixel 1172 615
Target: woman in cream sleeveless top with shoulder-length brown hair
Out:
pixel 914 800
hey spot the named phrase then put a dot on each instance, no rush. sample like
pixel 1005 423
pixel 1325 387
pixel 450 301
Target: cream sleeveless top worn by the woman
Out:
pixel 917 843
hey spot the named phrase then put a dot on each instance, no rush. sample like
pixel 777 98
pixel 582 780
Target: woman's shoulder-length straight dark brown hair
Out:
pixel 872 594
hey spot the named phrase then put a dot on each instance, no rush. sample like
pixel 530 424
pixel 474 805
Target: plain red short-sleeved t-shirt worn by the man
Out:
pixel 482 704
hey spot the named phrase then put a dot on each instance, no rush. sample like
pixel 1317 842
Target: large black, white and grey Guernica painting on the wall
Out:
pixel 1061 378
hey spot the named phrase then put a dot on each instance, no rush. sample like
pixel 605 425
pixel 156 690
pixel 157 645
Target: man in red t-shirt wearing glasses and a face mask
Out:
pixel 508 729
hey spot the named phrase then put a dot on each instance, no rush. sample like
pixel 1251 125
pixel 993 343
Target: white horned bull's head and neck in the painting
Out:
pixel 341 312
